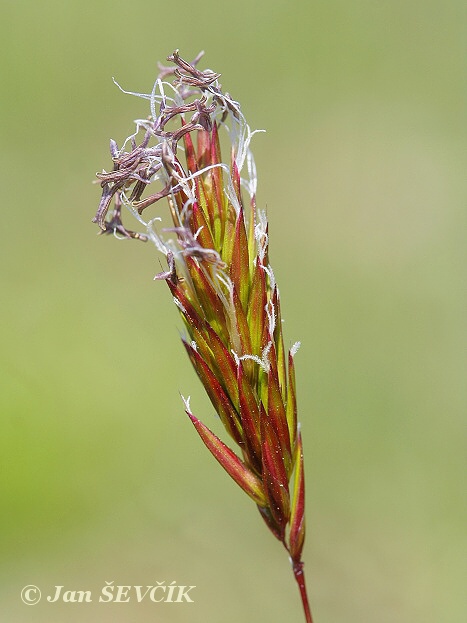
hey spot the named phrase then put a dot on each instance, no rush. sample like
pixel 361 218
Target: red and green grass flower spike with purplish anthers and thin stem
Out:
pixel 221 281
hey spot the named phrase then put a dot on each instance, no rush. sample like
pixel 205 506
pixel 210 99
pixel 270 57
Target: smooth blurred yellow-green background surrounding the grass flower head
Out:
pixel 361 169
